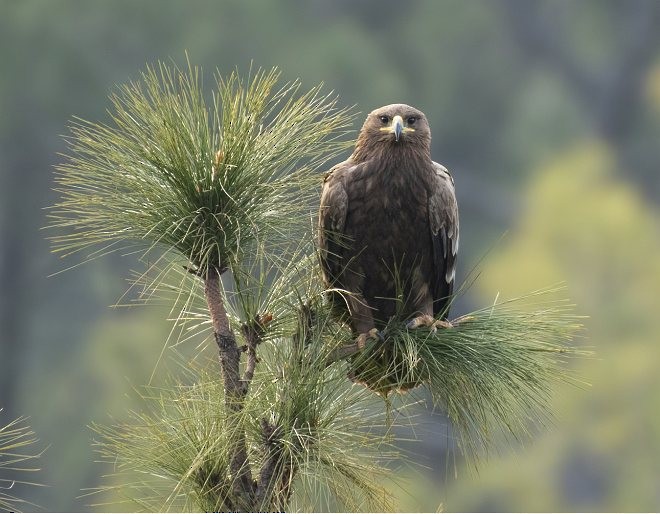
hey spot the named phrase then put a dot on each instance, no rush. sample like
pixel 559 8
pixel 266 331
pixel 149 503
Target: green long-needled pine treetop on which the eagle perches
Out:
pixel 219 199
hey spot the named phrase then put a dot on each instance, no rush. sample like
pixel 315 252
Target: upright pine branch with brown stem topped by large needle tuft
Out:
pixel 217 185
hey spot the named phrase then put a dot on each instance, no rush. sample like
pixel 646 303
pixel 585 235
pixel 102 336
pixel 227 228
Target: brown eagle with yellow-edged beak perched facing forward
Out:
pixel 388 226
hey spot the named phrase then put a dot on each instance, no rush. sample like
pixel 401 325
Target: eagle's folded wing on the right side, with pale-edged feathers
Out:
pixel 443 222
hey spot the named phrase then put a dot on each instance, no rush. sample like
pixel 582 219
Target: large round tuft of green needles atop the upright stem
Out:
pixel 209 181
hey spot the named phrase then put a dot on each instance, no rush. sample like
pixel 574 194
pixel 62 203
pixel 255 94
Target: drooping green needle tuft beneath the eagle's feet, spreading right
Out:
pixel 493 372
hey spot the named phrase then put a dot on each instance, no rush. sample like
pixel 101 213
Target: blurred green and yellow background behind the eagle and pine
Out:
pixel 548 114
